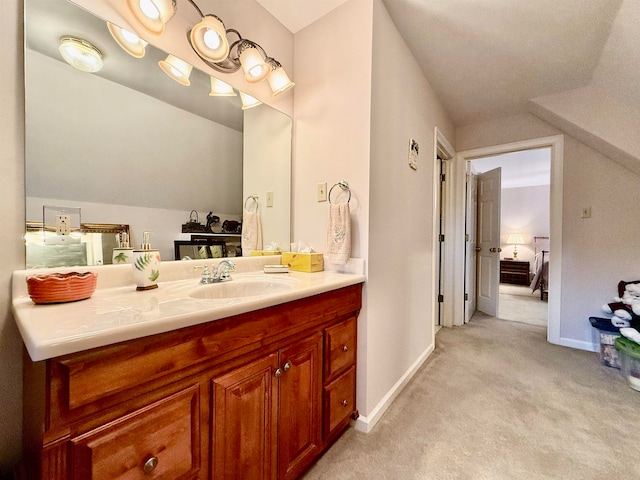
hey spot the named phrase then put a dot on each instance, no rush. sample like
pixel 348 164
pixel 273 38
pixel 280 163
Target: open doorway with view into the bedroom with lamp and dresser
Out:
pixel 505 275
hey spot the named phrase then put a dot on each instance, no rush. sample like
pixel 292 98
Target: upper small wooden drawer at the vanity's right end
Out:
pixel 340 348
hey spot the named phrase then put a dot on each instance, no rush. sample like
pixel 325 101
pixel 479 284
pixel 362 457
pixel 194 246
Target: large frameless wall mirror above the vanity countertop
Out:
pixel 130 146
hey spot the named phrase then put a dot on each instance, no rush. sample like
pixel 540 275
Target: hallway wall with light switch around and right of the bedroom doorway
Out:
pixel 597 252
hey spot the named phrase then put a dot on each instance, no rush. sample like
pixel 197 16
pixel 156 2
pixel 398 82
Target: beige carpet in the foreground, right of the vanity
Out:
pixel 496 401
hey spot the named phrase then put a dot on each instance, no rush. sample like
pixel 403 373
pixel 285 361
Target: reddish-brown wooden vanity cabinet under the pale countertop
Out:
pixel 255 396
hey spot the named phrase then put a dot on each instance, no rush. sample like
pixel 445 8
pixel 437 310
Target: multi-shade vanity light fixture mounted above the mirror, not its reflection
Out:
pixel 209 39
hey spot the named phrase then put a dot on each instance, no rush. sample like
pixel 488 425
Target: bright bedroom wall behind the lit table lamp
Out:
pixel 524 210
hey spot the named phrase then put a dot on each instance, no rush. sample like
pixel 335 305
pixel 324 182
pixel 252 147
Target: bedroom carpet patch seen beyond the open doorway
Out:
pixel 518 304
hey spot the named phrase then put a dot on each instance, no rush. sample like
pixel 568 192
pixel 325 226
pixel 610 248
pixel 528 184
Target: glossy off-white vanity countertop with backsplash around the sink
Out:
pixel 117 311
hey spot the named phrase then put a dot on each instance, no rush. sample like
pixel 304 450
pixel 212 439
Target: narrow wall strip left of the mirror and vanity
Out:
pixel 12 219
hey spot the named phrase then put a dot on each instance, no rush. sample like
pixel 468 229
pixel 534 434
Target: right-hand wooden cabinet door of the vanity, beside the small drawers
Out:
pixel 300 410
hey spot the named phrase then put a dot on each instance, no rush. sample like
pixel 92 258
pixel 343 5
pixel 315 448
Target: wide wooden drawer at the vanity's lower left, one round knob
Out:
pixel 161 441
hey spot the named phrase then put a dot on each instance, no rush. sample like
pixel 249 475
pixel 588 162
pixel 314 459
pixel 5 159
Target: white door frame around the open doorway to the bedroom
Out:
pixel 556 144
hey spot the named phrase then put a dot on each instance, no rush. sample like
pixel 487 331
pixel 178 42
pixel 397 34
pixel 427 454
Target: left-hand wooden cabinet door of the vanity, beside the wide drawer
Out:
pixel 244 422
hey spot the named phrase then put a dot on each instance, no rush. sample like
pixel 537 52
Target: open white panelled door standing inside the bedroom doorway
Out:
pixel 488 241
